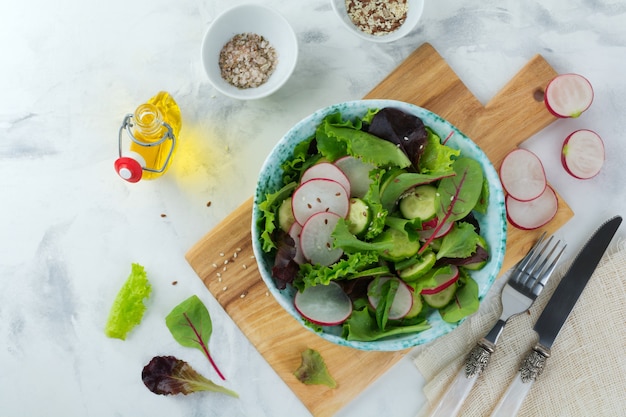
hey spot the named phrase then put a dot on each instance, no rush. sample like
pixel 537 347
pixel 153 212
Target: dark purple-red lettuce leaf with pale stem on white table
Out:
pixel 167 375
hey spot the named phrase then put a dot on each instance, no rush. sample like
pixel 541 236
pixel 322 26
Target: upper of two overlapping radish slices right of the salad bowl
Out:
pixel 522 175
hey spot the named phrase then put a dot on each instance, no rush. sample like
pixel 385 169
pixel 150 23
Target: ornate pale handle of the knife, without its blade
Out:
pixel 532 366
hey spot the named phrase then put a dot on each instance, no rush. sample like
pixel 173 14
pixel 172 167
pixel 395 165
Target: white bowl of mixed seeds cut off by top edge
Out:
pixel 379 20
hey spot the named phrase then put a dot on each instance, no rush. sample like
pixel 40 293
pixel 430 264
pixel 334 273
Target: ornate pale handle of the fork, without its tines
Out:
pixel 456 394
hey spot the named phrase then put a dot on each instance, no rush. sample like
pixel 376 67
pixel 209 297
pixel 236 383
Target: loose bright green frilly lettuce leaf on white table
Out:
pixel 128 308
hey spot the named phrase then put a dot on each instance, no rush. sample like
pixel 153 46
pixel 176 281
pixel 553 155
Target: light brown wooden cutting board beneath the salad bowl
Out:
pixel 224 259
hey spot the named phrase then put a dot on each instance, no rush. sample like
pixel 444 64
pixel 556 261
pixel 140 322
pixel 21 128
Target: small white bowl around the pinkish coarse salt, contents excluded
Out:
pixel 260 20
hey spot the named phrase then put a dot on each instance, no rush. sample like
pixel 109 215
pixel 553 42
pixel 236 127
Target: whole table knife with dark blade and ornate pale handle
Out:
pixel 554 315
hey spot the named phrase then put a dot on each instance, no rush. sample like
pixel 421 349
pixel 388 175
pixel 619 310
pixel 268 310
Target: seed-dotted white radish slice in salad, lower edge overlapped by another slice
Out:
pixel 317 196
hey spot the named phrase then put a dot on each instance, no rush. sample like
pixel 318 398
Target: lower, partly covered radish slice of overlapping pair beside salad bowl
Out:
pixel 528 215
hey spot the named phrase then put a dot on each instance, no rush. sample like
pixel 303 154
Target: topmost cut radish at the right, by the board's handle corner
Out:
pixel 568 95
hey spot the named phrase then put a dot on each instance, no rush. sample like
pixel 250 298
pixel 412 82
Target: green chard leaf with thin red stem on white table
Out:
pixel 190 324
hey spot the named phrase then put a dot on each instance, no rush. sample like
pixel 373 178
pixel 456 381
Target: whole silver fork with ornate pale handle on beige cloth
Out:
pixel 525 283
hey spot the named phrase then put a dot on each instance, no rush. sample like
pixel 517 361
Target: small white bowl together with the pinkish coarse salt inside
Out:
pixel 249 51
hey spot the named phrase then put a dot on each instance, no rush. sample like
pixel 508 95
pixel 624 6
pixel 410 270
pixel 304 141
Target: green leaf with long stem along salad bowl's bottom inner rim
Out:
pixel 361 326
